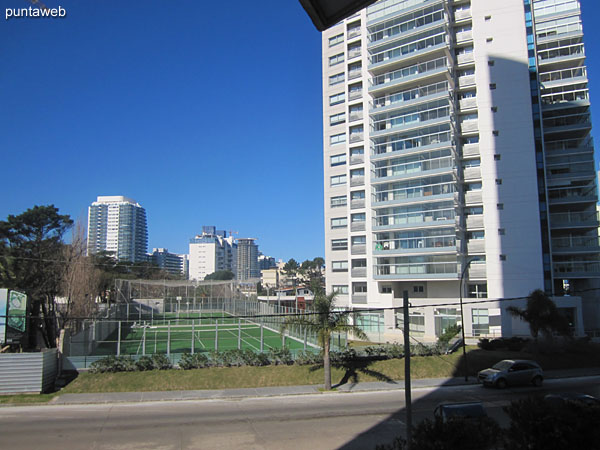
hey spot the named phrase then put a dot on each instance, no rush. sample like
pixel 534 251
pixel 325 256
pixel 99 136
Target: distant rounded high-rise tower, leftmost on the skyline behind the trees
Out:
pixel 117 224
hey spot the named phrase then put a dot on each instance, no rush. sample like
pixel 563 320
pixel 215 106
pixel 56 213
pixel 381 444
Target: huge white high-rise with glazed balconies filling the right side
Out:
pixel 459 162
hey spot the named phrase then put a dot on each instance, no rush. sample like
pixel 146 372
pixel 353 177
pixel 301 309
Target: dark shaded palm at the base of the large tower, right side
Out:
pixel 542 315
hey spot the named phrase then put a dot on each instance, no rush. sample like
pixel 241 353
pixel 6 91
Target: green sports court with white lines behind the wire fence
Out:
pixel 193 332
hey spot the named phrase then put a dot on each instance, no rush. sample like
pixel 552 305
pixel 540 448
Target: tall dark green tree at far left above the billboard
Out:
pixel 30 248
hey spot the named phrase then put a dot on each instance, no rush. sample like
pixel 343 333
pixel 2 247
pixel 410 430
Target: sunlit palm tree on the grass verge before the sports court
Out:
pixel 324 320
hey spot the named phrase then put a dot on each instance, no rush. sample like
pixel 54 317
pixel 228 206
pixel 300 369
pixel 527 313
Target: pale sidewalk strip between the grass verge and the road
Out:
pixel 133 397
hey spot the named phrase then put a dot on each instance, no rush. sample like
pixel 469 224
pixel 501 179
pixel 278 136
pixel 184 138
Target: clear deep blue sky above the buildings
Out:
pixel 206 113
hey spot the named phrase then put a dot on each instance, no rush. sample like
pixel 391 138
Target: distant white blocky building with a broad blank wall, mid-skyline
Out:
pixel 210 252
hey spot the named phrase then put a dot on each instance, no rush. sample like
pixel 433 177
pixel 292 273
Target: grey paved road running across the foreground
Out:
pixel 321 421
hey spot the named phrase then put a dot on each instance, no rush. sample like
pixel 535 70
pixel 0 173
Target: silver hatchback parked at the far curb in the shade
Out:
pixel 512 372
